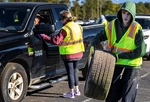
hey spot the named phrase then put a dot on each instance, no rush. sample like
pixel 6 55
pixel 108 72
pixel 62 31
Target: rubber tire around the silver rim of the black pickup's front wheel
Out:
pixel 8 71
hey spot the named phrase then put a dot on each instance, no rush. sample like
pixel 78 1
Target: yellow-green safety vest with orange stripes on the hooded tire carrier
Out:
pixel 126 43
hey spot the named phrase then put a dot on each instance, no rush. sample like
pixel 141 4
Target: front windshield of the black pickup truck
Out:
pixel 13 19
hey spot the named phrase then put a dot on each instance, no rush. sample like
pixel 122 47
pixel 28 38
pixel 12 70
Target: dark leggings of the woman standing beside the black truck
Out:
pixel 71 68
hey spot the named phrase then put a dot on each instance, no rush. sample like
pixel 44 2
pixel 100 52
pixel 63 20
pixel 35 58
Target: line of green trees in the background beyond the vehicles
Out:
pixel 91 9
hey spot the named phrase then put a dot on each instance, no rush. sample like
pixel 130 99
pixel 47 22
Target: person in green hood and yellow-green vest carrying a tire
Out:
pixel 126 42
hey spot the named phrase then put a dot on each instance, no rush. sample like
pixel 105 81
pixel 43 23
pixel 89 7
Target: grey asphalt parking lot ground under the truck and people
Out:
pixel 54 93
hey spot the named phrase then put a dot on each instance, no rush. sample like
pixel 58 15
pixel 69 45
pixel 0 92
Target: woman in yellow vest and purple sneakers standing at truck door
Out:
pixel 71 48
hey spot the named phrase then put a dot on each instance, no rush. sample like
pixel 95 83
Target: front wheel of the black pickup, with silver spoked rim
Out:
pixel 13 83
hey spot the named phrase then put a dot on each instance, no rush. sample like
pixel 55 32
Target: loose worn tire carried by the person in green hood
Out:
pixel 100 75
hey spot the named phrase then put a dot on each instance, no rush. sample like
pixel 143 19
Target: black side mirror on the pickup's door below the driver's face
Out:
pixel 44 28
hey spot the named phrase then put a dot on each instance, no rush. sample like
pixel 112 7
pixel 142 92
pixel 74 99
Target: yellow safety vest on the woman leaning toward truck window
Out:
pixel 73 42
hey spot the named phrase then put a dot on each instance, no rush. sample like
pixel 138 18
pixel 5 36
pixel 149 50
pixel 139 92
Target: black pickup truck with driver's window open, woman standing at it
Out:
pixel 21 70
